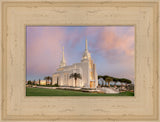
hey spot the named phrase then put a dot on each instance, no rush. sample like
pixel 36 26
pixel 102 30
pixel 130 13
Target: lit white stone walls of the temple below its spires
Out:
pixel 84 68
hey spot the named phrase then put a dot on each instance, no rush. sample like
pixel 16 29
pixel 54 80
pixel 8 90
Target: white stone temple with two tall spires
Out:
pixel 86 68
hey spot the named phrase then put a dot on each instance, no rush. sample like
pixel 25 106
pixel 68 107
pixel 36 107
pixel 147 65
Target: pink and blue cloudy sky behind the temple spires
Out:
pixel 111 48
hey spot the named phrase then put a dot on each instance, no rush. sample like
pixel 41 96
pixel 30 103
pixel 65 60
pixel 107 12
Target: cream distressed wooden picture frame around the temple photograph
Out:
pixel 16 14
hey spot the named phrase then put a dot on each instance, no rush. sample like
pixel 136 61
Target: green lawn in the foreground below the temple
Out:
pixel 57 92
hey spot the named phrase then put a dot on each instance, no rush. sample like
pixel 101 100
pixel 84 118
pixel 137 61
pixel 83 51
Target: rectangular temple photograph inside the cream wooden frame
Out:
pixel 104 57
